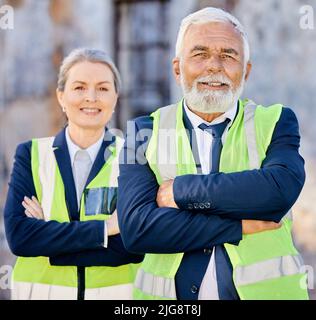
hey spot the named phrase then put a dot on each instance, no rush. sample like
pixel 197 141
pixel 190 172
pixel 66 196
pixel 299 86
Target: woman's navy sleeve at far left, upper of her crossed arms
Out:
pixel 30 237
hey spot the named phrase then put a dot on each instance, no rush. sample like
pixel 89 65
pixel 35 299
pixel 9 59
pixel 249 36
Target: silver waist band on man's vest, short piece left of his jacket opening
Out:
pixel 155 285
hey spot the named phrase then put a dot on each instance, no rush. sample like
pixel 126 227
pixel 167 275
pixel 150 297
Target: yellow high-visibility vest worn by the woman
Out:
pixel 34 277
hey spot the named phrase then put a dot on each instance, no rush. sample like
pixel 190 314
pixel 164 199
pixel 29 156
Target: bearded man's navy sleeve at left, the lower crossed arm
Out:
pixel 146 228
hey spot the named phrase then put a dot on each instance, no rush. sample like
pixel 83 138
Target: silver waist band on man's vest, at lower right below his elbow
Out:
pixel 269 269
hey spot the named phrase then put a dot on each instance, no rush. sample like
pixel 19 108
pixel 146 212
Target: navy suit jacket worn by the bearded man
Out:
pixel 264 194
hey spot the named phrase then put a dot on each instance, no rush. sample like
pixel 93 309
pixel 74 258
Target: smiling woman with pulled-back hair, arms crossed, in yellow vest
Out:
pixel 60 214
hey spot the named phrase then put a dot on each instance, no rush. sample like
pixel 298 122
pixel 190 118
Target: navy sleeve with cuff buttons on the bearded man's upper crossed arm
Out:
pixel 264 194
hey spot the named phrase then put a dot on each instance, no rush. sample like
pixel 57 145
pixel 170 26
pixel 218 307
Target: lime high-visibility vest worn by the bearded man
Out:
pixel 266 265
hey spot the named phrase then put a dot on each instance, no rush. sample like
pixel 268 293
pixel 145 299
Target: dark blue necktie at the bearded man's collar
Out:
pixel 216 130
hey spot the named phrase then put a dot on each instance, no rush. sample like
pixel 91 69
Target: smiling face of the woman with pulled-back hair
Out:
pixel 89 97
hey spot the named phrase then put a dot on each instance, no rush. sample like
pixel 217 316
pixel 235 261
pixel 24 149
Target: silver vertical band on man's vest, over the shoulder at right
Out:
pixel 249 123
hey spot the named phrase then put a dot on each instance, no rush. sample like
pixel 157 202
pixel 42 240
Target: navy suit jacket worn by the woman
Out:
pixel 74 243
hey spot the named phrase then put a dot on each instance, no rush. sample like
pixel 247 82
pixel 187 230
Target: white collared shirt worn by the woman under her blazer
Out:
pixel 81 164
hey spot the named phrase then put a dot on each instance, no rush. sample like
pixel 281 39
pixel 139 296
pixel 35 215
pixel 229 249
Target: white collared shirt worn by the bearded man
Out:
pixel 208 289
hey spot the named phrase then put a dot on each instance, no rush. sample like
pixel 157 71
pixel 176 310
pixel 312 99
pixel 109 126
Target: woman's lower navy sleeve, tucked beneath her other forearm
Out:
pixel 113 256
